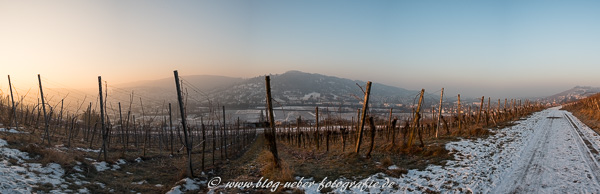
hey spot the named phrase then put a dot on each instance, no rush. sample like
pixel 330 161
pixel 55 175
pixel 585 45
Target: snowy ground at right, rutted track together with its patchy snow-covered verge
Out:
pixel 549 152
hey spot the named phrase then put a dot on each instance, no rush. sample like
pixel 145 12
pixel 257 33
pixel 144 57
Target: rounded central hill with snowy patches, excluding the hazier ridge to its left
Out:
pixel 297 88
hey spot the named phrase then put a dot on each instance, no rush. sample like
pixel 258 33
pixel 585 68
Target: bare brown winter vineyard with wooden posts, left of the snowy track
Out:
pixel 161 147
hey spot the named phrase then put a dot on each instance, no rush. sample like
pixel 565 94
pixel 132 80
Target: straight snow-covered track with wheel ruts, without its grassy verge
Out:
pixel 558 158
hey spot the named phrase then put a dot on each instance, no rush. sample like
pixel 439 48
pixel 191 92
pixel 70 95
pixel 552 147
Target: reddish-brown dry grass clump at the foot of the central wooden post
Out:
pixel 283 174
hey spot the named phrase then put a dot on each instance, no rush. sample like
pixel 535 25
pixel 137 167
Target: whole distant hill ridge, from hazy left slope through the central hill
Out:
pixel 289 88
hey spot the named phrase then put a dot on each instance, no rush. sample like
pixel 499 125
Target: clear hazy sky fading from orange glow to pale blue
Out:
pixel 493 48
